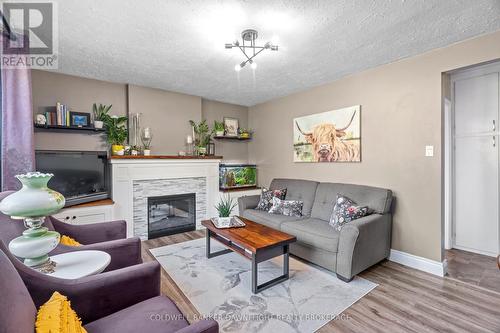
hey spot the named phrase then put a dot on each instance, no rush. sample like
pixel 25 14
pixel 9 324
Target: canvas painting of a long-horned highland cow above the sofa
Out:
pixel 332 136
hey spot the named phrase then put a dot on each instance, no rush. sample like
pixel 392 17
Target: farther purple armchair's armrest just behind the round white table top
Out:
pixel 124 252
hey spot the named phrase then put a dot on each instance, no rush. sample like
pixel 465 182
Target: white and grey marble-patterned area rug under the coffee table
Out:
pixel 220 287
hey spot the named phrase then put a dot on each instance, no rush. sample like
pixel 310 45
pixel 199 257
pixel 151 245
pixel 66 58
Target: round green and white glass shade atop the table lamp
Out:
pixel 34 199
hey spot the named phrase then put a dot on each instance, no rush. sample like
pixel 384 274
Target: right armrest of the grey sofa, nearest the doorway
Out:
pixel 363 243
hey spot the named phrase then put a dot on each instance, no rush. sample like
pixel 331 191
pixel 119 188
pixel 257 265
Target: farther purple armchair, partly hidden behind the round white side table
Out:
pixel 109 237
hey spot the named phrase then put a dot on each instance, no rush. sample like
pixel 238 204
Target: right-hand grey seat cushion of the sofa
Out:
pixel 313 232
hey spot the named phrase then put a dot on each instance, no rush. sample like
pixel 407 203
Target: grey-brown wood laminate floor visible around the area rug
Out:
pixel 406 300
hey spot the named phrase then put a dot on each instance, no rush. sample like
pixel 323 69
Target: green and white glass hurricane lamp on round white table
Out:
pixel 32 203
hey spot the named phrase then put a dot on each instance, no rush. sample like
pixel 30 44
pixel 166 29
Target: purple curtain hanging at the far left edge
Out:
pixel 18 152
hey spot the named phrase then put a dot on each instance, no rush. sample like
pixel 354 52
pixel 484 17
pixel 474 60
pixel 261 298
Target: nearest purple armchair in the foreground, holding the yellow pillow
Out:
pixel 126 300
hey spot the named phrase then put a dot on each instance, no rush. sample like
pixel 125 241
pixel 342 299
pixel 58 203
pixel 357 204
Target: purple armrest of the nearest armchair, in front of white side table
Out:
pixel 97 296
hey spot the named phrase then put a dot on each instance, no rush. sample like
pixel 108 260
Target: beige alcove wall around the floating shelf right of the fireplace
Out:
pixel 233 151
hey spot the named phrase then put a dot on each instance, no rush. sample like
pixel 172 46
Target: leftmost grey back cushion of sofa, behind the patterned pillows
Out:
pixel 297 189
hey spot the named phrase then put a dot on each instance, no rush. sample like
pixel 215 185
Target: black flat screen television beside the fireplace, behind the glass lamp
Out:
pixel 81 176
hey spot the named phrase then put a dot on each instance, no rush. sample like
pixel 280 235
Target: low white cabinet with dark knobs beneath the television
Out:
pixel 85 215
